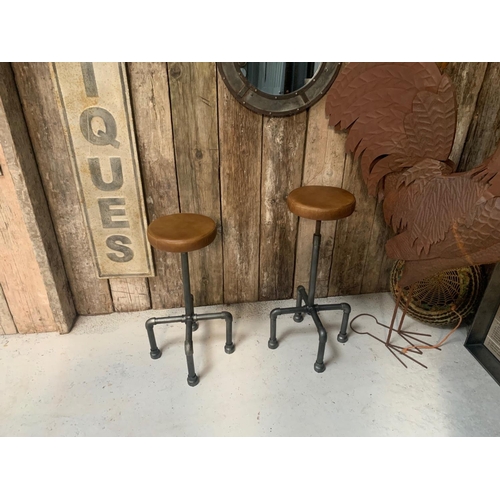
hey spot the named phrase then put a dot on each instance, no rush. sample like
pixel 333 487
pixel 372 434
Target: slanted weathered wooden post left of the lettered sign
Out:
pixel 32 202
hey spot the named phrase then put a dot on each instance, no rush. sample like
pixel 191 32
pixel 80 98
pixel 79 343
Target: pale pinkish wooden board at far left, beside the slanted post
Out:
pixel 20 275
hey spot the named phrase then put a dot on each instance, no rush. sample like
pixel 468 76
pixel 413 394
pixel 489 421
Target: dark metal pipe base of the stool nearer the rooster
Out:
pixel 306 305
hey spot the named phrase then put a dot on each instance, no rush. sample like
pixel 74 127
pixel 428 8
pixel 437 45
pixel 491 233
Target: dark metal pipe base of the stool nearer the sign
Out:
pixel 191 320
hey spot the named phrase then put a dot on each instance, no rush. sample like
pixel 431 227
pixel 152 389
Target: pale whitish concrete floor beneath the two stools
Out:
pixel 100 381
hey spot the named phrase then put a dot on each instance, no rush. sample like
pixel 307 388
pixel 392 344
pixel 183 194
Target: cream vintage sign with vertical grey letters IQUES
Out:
pixel 95 106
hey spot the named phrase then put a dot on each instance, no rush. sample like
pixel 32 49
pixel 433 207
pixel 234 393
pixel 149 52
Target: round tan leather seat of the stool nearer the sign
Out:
pixel 181 232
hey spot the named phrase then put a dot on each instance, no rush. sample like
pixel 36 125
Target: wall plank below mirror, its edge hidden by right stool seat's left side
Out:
pixel 283 141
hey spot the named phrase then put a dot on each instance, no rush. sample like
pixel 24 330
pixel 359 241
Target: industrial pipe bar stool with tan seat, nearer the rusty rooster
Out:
pixel 319 203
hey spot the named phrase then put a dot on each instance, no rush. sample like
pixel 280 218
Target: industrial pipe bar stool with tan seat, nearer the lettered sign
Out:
pixel 183 233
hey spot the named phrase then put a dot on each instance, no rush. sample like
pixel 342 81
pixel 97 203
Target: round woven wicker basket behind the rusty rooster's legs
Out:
pixel 434 297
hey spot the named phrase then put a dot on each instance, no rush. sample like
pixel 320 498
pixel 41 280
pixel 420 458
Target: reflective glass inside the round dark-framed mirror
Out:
pixel 279 78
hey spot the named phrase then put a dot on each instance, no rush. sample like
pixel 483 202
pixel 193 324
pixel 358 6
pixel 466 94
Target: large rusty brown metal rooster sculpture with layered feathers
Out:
pixel 401 119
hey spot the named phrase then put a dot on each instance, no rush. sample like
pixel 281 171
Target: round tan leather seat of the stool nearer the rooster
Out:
pixel 321 202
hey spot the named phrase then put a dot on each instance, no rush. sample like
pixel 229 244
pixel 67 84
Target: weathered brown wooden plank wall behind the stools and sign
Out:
pixel 201 151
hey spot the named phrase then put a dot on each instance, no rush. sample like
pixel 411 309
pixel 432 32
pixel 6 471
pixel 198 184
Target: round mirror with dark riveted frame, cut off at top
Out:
pixel 278 89
